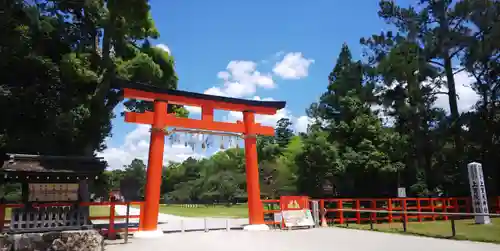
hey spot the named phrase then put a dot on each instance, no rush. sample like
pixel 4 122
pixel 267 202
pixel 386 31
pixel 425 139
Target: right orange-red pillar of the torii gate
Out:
pixel 255 209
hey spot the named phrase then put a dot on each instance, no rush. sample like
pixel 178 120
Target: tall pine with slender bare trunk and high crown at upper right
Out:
pixel 438 31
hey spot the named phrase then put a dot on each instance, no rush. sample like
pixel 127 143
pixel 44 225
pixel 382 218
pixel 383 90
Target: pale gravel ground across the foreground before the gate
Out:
pixel 299 240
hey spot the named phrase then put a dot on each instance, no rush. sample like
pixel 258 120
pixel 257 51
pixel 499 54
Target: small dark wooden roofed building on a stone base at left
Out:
pixel 59 181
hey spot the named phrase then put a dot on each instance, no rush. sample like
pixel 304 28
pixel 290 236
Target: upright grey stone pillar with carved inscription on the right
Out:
pixel 478 192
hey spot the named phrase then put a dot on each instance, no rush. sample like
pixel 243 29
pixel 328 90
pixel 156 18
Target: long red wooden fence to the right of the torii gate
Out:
pixel 334 213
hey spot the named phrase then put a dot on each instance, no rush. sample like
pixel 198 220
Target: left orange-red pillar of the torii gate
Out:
pixel 155 167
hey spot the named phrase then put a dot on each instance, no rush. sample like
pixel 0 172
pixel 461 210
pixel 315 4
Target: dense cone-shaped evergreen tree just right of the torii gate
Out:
pixel 358 139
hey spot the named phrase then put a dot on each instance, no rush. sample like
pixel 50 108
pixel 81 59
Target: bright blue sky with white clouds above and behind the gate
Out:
pixel 256 36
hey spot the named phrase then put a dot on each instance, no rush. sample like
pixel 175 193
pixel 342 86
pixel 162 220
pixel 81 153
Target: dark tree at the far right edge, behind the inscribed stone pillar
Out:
pixel 482 62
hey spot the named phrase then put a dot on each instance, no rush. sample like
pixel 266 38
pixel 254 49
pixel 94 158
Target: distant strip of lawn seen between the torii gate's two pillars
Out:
pixel 235 211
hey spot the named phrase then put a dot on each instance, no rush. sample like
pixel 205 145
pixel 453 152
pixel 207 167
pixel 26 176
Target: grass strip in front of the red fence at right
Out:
pixel 465 229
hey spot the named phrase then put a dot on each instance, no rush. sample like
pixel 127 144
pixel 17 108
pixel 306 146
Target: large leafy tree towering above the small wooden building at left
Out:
pixel 77 69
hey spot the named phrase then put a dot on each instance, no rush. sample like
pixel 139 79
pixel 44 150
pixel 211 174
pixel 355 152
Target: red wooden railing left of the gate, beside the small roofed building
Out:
pixel 111 231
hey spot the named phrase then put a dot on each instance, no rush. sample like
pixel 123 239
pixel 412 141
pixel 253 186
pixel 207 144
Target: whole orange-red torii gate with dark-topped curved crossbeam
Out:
pixel 160 119
